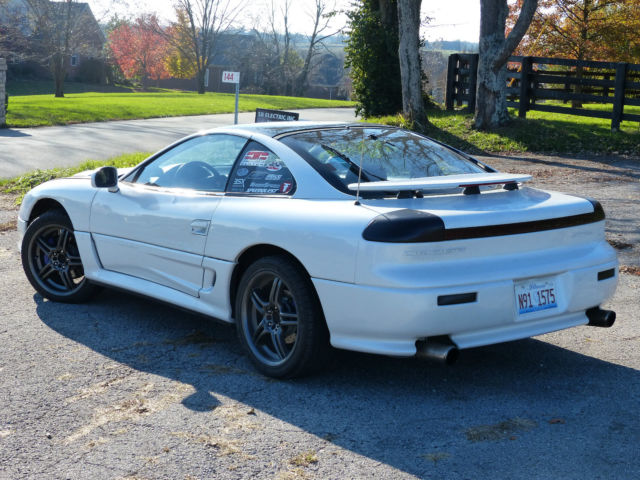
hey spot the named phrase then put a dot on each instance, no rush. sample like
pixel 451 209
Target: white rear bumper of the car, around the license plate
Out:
pixel 390 320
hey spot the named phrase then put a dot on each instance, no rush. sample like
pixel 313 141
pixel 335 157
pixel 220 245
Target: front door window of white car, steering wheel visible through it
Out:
pixel 202 163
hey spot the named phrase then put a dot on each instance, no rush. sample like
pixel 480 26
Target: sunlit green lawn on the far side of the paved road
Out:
pixel 39 110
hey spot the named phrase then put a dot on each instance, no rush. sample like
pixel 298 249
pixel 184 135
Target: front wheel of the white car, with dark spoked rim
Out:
pixel 51 259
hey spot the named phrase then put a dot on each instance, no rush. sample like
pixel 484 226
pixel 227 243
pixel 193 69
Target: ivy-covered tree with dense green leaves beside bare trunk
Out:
pixel 372 56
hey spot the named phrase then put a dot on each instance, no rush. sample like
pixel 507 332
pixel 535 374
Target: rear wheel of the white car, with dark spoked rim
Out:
pixel 279 319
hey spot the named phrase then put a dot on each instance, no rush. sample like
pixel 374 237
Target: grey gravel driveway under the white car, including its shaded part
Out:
pixel 127 388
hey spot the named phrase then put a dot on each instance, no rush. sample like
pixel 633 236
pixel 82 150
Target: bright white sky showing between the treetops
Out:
pixel 450 19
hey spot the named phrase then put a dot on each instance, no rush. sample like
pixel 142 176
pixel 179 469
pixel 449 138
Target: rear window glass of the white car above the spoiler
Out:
pixel 386 153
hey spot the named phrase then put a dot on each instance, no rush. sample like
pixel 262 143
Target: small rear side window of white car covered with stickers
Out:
pixel 259 170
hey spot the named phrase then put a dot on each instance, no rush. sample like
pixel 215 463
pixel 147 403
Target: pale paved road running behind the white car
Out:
pixel 25 149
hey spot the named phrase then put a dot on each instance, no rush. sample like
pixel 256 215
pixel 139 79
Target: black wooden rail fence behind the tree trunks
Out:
pixel 533 80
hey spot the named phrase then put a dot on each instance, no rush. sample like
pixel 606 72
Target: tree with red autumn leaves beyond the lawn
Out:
pixel 139 50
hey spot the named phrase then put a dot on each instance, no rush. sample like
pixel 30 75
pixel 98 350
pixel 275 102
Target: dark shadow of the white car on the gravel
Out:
pixel 505 408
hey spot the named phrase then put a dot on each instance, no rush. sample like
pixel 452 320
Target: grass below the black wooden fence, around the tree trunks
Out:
pixel 540 132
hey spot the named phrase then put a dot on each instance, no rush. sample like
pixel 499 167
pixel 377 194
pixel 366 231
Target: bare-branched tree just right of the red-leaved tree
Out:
pixel 197 37
